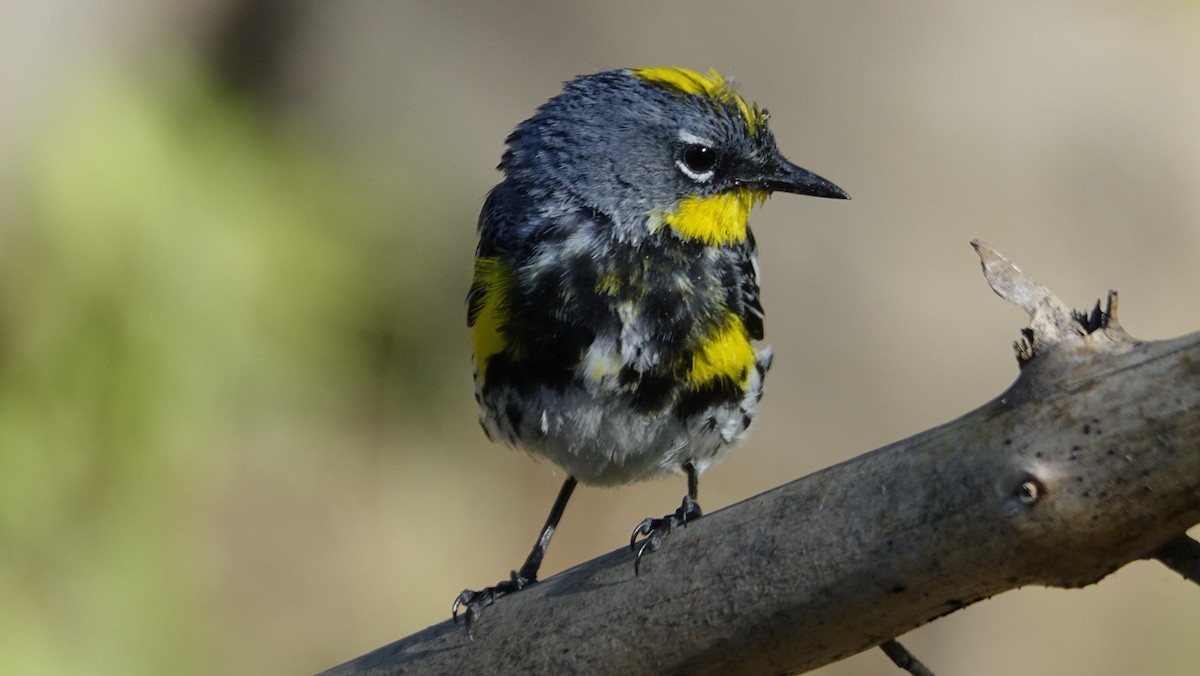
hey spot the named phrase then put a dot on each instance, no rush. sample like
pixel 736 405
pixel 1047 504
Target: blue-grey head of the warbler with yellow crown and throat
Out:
pixel 657 147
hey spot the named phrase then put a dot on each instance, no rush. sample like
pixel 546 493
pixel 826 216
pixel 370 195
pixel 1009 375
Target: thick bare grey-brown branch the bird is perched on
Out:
pixel 1089 462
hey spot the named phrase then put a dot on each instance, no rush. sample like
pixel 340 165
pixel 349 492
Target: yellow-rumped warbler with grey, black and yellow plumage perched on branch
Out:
pixel 616 289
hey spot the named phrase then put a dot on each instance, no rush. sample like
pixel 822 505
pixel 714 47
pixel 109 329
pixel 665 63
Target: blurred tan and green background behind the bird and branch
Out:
pixel 237 427
